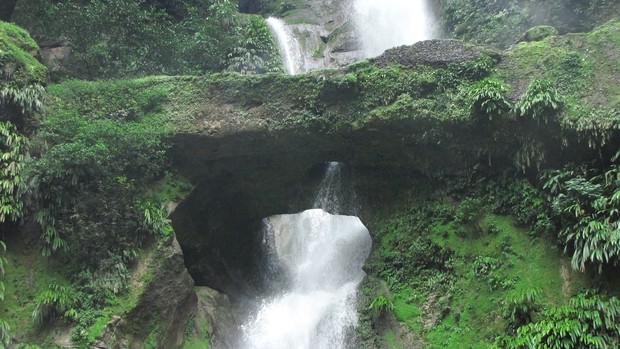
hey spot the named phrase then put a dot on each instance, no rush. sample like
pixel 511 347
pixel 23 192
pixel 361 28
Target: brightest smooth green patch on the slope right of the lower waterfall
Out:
pixel 526 263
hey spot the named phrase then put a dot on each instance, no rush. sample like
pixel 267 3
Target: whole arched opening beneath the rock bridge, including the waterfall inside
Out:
pixel 289 242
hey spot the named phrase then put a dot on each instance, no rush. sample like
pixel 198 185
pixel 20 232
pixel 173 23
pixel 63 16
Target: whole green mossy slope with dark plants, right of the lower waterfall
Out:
pixel 449 278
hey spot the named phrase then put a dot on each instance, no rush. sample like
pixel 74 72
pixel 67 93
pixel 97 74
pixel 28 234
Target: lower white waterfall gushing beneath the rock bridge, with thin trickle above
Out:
pixel 322 257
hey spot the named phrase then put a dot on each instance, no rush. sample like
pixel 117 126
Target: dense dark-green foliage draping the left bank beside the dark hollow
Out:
pixel 91 164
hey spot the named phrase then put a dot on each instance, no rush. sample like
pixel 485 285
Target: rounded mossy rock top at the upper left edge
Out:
pixel 19 67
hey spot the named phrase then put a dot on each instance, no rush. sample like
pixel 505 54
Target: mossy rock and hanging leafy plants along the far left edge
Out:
pixel 21 95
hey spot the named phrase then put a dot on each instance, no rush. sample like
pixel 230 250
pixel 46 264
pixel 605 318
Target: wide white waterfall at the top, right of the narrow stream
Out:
pixel 383 24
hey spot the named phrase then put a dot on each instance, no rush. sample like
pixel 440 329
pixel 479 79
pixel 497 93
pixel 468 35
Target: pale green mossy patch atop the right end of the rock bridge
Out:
pixel 583 67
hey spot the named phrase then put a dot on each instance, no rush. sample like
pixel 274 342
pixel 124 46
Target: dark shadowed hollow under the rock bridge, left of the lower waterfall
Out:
pixel 220 226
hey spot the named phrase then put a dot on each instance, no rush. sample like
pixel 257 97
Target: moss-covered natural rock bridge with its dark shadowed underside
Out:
pixel 251 144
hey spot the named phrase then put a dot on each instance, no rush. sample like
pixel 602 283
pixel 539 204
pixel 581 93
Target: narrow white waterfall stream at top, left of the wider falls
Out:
pixel 290 51
